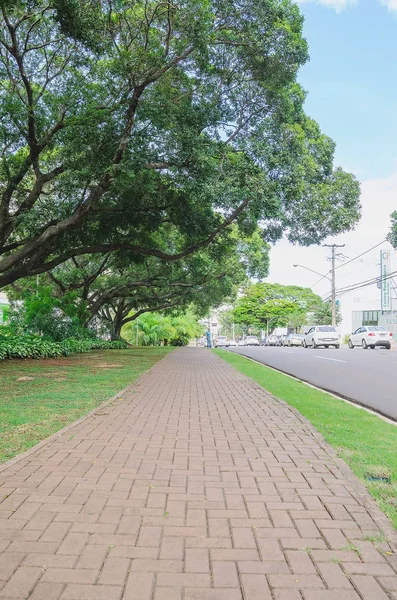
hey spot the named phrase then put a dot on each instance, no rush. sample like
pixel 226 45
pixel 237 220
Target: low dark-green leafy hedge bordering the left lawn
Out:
pixel 31 346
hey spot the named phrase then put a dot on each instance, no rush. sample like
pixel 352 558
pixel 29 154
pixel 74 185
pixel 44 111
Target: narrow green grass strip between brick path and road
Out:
pixel 366 442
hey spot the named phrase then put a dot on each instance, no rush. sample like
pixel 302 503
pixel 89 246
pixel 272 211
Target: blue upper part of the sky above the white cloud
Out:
pixel 352 82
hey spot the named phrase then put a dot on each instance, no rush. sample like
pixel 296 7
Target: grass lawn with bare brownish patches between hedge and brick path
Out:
pixel 39 397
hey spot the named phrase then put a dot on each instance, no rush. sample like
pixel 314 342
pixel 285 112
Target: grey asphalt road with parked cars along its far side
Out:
pixel 368 377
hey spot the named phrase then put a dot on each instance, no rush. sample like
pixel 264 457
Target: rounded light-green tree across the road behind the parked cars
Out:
pixel 273 305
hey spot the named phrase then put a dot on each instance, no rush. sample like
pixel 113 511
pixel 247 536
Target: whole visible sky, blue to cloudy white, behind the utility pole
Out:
pixel 352 93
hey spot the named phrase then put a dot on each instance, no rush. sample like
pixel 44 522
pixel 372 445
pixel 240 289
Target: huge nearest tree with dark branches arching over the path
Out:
pixel 122 121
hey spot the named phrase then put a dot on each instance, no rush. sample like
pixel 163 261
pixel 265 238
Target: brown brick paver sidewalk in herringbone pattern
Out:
pixel 197 485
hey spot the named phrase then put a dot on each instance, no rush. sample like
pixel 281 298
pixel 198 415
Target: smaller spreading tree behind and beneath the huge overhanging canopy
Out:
pixel 111 290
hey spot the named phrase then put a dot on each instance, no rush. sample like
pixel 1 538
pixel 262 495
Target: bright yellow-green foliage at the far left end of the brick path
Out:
pixel 155 329
